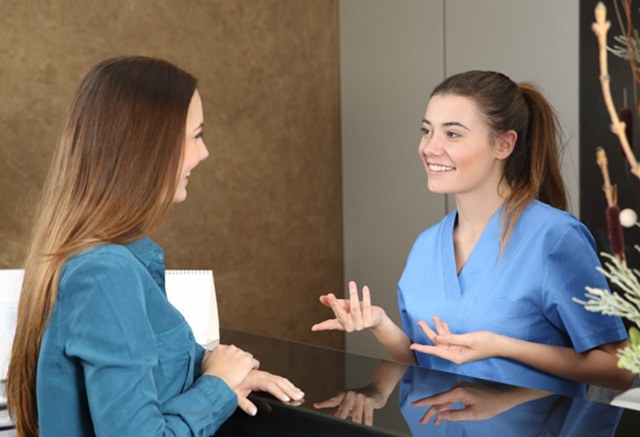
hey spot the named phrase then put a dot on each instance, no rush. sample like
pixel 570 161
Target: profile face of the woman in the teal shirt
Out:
pixel 194 147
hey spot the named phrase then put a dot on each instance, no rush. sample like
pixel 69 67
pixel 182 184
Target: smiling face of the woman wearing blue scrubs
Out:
pixel 460 153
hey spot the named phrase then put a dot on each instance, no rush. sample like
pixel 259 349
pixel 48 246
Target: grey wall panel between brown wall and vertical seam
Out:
pixel 391 55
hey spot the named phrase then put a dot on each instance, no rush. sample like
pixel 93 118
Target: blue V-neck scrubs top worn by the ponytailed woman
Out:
pixel 525 293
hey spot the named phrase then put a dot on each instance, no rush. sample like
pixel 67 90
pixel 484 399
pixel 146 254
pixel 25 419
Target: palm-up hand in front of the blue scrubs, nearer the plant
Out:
pixel 458 348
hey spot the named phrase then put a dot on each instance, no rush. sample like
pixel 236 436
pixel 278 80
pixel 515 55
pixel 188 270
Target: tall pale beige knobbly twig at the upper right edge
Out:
pixel 600 27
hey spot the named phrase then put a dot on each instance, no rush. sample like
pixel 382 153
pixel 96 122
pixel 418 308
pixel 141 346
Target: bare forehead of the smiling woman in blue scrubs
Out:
pixel 446 108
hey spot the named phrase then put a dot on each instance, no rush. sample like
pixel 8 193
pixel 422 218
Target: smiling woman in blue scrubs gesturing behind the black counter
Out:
pixel 488 291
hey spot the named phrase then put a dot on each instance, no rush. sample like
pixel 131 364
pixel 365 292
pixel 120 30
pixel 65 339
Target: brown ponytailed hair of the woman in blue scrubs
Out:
pixel 532 171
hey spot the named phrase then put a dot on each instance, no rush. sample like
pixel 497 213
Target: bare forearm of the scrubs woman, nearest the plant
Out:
pixel 595 366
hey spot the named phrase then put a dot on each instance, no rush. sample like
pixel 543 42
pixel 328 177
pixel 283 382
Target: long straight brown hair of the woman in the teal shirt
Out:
pixel 112 179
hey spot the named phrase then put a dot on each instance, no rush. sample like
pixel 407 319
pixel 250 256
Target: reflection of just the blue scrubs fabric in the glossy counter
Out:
pixel 550 416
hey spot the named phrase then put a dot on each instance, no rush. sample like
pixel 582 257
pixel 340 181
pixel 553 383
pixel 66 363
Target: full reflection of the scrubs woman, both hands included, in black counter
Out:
pixel 440 403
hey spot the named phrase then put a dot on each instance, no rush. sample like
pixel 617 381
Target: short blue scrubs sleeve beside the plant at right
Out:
pixel 569 268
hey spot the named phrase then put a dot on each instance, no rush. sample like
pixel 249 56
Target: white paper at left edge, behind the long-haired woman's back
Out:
pixel 10 285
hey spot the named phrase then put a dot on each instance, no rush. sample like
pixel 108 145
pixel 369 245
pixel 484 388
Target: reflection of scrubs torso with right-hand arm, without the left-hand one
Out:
pixel 438 403
